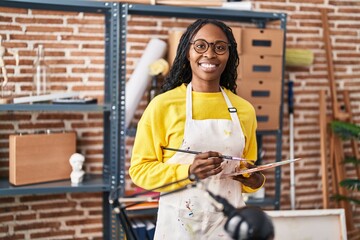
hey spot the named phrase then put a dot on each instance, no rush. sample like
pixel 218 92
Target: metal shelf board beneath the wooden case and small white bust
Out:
pixel 91 183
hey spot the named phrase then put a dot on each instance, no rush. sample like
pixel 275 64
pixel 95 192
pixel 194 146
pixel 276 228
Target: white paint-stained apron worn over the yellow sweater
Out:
pixel 189 214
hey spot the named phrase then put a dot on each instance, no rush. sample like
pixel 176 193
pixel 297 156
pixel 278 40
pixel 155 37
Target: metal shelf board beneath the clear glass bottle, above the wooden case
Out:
pixel 55 107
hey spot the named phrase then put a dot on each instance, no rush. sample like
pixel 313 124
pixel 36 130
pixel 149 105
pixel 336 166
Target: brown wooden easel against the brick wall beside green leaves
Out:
pixel 334 158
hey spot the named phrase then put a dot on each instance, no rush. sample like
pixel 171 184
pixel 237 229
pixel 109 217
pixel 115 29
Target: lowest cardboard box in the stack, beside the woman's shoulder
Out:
pixel 267 116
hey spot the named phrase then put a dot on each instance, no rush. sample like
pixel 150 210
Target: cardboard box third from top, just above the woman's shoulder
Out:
pixel 260 90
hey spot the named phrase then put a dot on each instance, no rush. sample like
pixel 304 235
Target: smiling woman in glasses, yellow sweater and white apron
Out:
pixel 198 111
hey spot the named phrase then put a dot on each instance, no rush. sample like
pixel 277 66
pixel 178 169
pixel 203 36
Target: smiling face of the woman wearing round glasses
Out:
pixel 208 66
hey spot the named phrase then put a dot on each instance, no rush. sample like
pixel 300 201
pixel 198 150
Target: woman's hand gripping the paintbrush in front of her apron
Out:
pixel 206 164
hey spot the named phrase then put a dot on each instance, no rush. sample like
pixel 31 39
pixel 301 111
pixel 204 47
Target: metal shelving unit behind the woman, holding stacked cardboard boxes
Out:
pixel 259 19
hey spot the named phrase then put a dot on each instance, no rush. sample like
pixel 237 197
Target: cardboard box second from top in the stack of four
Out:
pixel 260 66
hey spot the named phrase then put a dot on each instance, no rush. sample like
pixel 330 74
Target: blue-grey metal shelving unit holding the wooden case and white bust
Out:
pixel 112 109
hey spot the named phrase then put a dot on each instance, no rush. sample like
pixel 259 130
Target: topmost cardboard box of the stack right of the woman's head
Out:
pixel 262 41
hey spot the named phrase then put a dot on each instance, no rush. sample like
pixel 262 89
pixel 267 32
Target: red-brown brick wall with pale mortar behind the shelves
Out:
pixel 74 48
